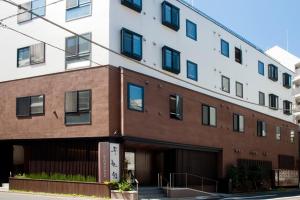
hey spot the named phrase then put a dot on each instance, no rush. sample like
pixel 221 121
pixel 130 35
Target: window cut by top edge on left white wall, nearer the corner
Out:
pixel 76 9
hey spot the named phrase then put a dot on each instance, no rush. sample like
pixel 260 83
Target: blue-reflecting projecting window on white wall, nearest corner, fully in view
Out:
pixel 131 44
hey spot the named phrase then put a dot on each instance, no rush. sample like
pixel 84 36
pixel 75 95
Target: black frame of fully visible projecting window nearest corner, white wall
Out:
pixel 131 53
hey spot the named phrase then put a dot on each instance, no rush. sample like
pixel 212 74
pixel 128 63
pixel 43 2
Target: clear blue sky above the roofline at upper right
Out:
pixel 263 22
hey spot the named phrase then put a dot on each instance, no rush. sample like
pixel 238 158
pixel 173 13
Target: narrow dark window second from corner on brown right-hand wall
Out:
pixel 176 107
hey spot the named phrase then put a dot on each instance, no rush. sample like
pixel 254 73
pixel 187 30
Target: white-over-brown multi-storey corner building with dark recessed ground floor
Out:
pixel 172 91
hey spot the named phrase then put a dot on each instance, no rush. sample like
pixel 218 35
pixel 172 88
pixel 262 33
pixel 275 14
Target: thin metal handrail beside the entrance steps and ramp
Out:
pixel 192 181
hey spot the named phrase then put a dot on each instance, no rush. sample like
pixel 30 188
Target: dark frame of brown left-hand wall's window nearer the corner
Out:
pixel 78 110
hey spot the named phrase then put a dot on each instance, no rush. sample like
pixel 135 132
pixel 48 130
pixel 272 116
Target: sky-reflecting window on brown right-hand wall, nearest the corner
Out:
pixel 135 97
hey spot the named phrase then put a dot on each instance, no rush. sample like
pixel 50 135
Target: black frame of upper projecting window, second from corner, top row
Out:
pixel 173 25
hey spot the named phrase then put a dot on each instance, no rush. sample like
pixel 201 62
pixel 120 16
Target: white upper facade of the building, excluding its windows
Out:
pixel 108 17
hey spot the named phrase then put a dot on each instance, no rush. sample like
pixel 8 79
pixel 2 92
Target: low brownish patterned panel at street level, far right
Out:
pixel 286 177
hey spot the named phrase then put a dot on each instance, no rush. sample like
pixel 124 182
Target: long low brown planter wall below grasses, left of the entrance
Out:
pixel 60 187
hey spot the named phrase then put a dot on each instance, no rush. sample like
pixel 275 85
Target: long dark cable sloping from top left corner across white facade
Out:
pixel 127 58
